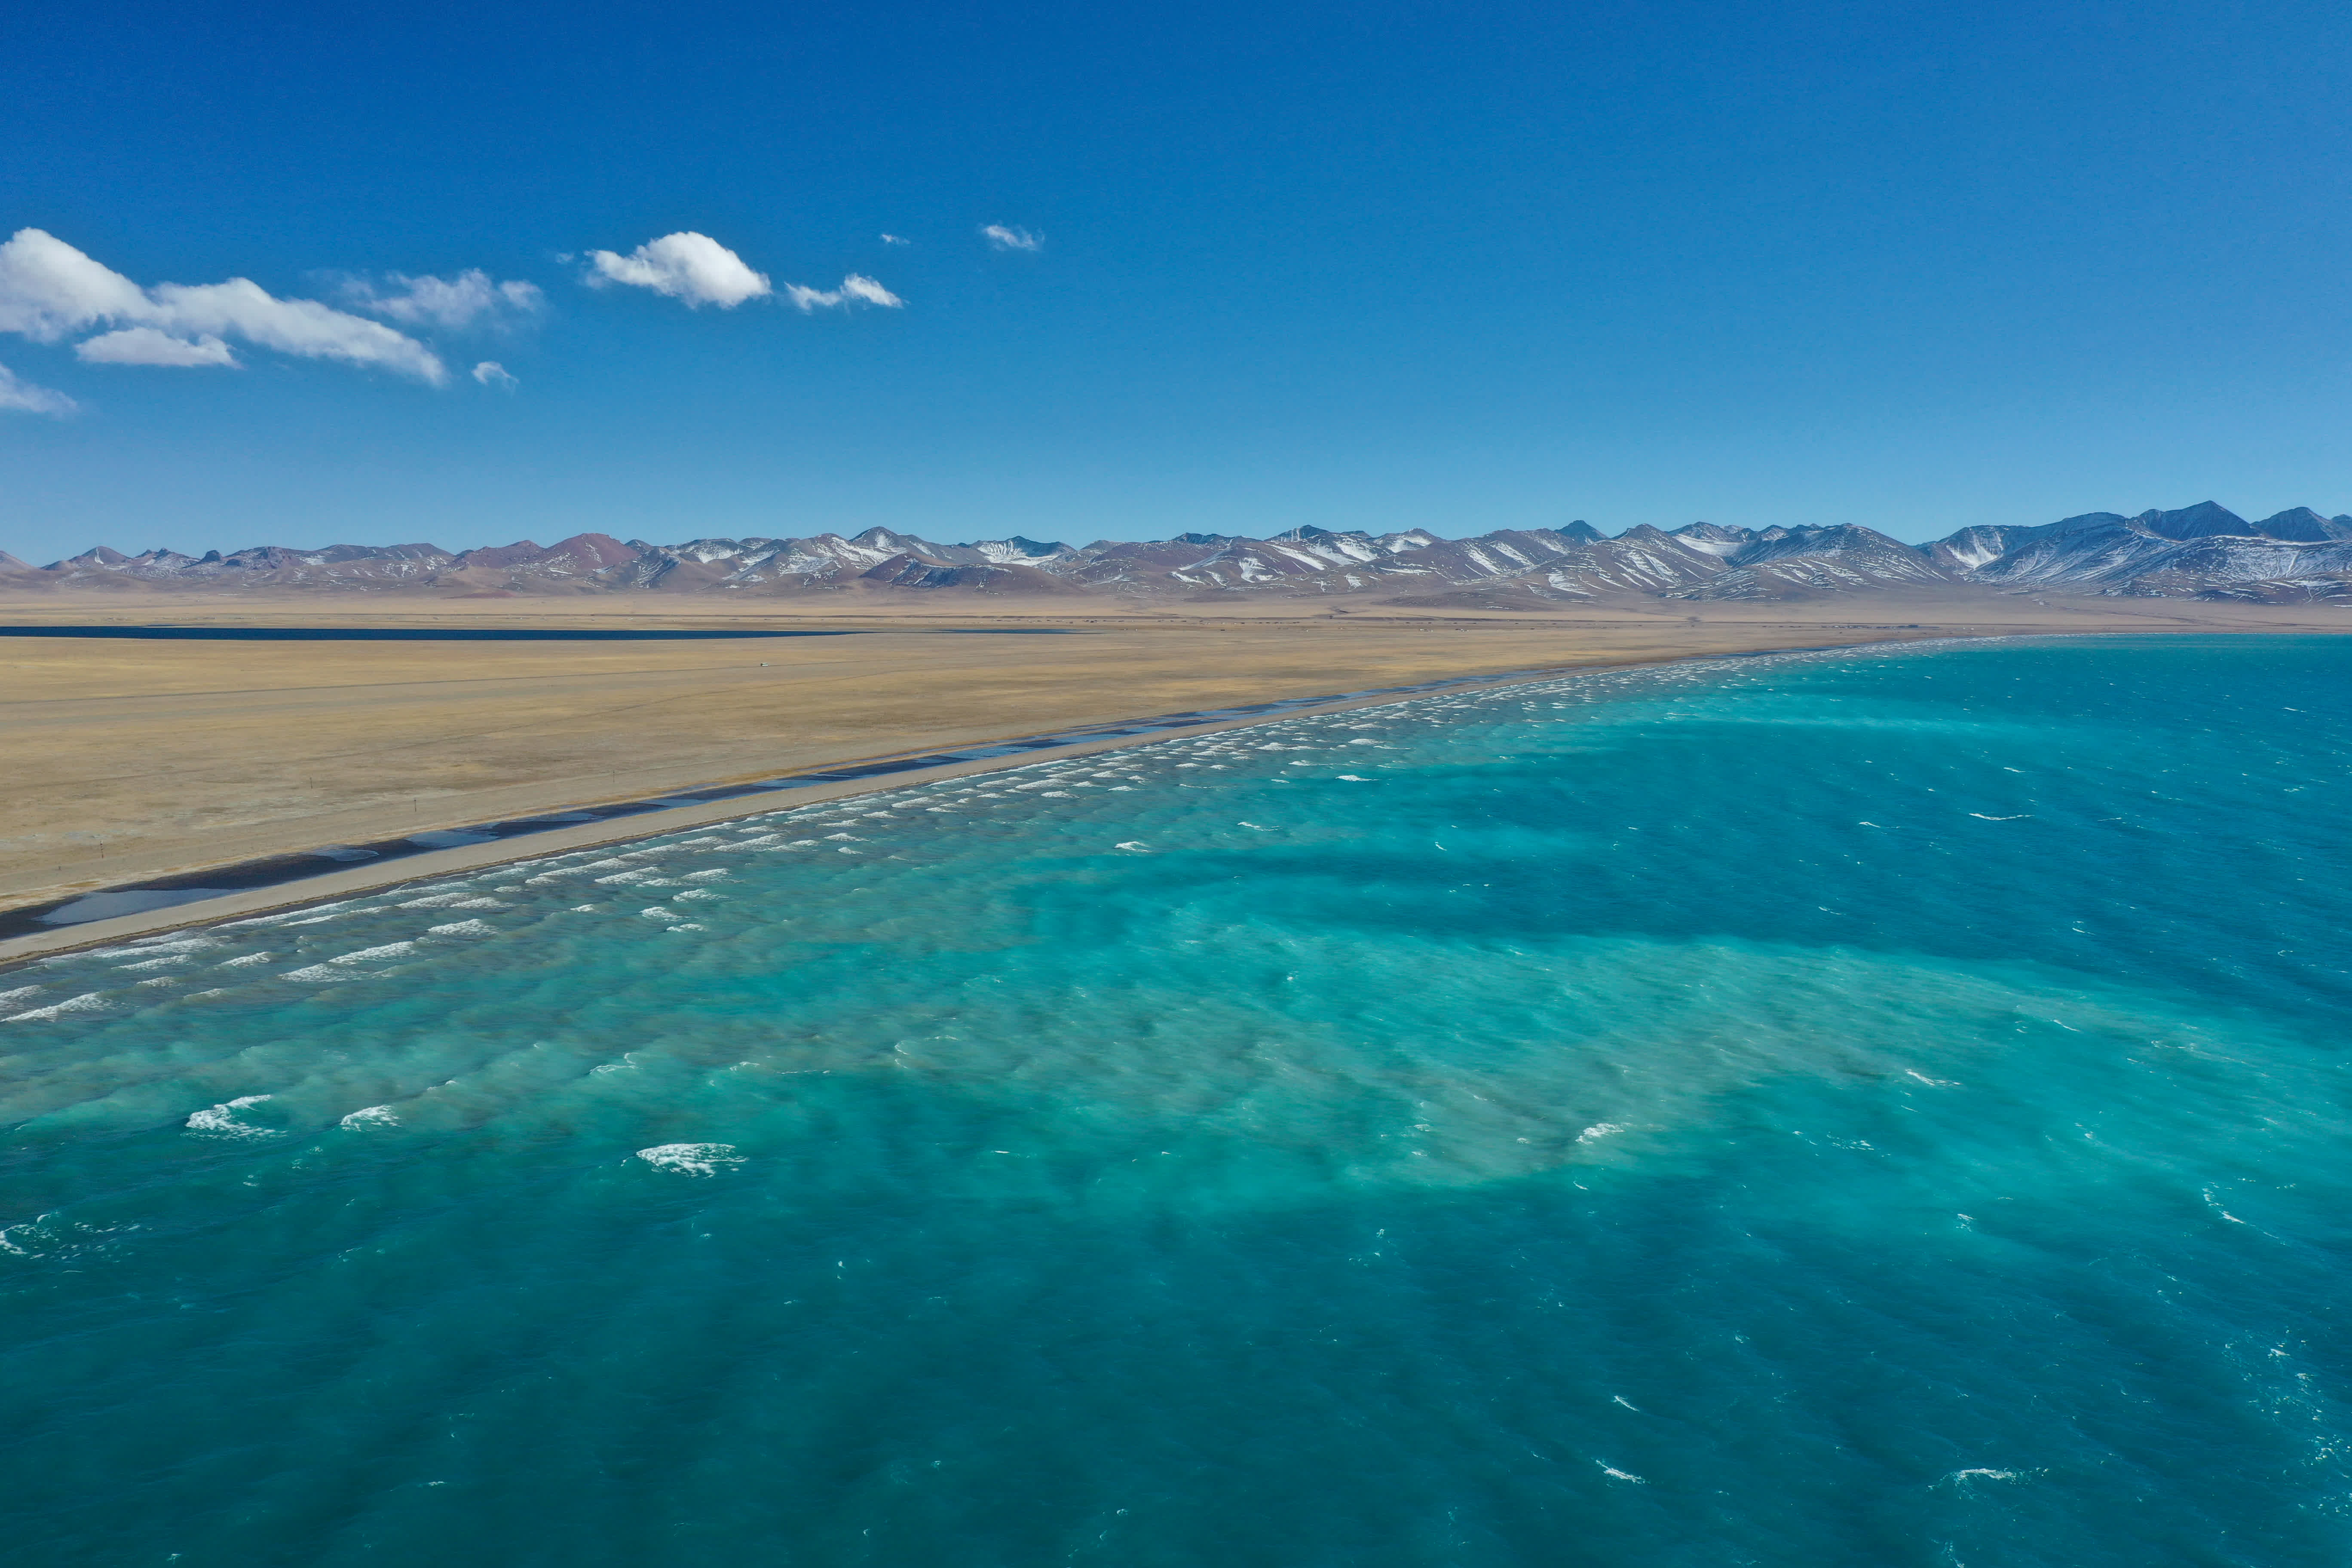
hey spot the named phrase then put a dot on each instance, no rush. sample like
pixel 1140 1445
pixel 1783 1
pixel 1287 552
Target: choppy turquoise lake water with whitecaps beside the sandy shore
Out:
pixel 1862 1108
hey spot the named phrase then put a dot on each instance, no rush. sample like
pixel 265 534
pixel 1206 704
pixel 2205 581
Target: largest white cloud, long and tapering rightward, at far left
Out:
pixel 51 290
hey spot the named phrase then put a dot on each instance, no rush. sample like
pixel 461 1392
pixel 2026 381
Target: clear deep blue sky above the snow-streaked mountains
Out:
pixel 1297 264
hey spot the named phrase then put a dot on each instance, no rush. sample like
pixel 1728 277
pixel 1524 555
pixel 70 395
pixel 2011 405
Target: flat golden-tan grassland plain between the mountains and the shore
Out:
pixel 145 758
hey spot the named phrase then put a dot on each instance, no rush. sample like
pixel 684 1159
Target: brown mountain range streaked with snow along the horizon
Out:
pixel 2203 551
